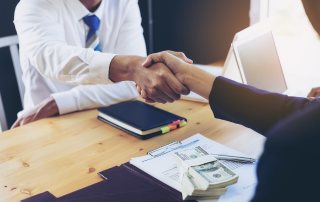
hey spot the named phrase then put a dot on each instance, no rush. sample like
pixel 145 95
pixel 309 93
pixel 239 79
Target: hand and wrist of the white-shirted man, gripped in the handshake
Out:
pixel 157 81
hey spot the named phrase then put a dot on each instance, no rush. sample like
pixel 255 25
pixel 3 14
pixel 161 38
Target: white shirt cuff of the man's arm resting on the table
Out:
pixel 66 102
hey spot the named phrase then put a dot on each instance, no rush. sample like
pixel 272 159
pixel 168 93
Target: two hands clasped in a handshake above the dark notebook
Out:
pixel 163 77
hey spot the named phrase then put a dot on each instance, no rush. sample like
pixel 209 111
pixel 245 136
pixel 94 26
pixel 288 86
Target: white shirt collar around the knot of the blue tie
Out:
pixel 81 11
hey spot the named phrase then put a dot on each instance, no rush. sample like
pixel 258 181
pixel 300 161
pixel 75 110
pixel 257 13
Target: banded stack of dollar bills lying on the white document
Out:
pixel 205 181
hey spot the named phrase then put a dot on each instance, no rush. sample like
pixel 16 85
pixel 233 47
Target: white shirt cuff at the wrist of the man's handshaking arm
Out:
pixel 99 68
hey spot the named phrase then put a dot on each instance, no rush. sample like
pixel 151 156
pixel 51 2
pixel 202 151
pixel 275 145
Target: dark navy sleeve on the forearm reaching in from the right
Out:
pixel 249 106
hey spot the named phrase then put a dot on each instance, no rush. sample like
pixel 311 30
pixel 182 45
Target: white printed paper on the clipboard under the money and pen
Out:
pixel 164 168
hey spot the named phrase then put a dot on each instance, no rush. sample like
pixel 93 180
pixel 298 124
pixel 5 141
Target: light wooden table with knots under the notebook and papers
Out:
pixel 63 154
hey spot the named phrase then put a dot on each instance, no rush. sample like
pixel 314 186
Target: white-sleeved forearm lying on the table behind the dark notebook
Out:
pixel 89 97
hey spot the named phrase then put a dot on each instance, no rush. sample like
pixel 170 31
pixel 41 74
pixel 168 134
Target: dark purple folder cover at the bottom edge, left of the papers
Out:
pixel 121 184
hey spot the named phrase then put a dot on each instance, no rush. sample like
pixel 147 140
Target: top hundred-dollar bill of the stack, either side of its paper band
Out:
pixel 213 174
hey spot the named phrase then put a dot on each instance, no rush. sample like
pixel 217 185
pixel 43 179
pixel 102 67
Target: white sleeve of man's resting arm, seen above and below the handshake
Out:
pixel 130 42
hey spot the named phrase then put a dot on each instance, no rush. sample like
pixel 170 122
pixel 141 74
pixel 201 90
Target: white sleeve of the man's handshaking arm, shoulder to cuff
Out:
pixel 42 38
